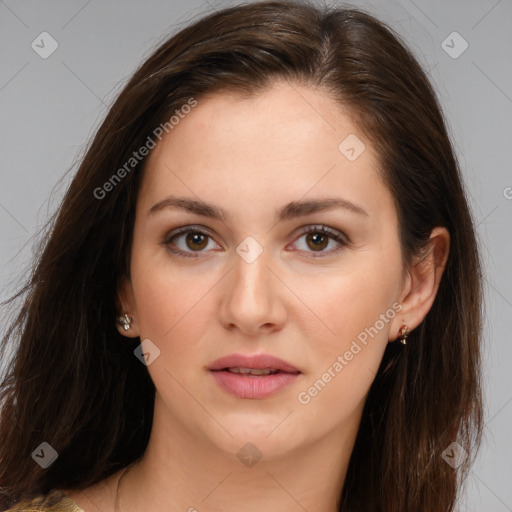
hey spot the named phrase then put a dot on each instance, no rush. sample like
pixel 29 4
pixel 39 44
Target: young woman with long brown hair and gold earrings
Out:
pixel 262 289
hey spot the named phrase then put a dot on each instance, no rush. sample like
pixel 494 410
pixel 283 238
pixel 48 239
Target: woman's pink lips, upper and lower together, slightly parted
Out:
pixel 253 377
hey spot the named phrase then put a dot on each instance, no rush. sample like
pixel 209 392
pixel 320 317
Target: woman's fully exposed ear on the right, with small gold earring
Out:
pixel 422 282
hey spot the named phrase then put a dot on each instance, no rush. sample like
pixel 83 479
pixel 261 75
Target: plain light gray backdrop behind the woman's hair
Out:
pixel 50 108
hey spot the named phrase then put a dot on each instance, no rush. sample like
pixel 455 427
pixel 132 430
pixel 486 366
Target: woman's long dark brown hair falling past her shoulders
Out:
pixel 74 381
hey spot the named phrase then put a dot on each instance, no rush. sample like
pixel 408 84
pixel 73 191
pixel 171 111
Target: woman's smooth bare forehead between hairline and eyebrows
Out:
pixel 279 144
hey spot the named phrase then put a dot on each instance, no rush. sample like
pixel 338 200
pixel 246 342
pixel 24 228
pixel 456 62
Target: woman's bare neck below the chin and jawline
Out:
pixel 181 471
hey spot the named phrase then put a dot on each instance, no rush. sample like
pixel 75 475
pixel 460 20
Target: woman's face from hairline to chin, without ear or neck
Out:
pixel 318 288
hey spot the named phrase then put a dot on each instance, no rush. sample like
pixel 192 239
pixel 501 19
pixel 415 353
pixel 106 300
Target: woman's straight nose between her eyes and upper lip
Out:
pixel 253 296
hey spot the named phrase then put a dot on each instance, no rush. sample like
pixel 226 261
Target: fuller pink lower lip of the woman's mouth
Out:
pixel 253 386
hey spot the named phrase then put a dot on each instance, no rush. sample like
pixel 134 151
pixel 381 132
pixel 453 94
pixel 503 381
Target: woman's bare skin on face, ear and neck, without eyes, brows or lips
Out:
pixel 251 156
